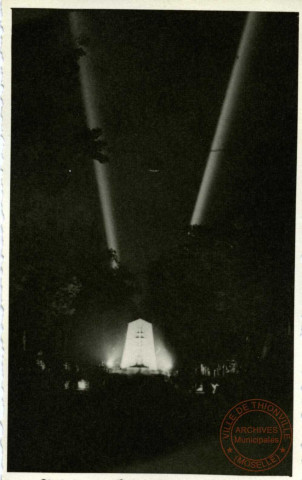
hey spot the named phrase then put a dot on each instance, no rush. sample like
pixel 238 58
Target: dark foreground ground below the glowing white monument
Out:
pixel 124 424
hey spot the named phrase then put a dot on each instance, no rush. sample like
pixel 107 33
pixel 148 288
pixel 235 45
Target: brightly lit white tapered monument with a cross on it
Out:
pixel 139 351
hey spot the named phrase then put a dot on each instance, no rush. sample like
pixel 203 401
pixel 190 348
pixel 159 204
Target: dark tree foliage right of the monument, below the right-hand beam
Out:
pixel 215 297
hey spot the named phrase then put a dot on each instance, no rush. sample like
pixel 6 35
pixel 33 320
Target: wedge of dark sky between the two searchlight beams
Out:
pixel 164 80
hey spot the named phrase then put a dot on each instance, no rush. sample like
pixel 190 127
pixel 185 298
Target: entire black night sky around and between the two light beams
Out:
pixel 162 80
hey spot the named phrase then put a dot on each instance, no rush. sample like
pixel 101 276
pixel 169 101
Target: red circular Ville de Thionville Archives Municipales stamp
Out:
pixel 256 435
